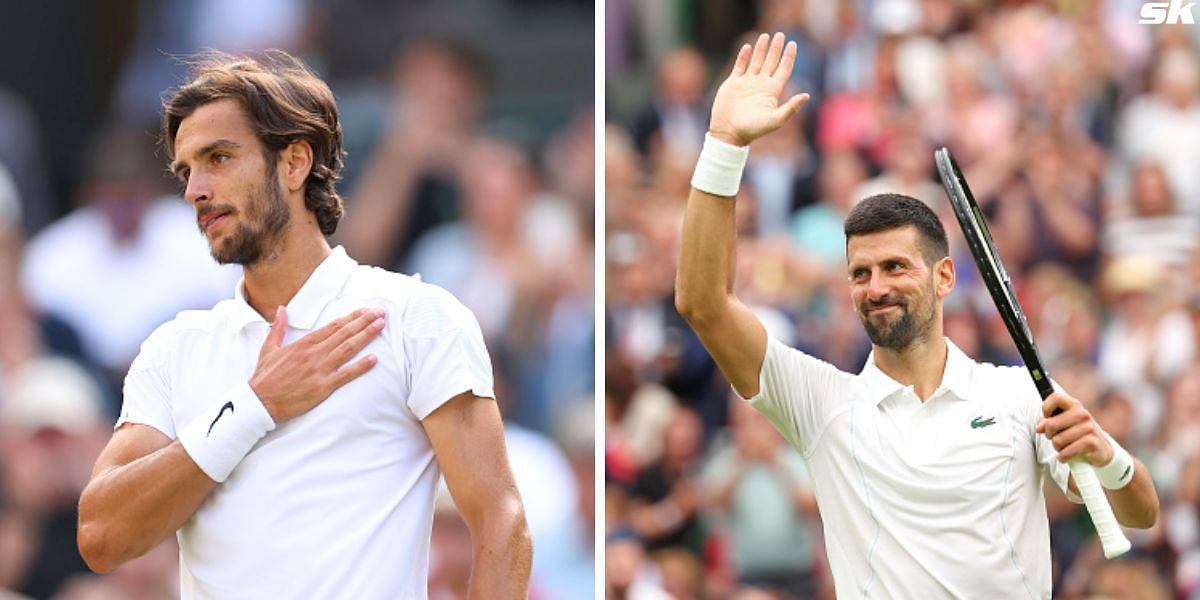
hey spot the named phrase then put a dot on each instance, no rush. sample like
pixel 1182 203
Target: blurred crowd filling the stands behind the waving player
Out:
pixel 1079 131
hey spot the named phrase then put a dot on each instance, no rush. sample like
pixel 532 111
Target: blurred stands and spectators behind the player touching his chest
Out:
pixel 470 129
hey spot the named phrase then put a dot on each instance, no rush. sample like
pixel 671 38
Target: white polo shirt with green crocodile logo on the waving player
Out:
pixel 921 500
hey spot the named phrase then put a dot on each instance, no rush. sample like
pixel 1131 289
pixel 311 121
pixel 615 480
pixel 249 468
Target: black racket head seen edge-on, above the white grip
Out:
pixel 992 269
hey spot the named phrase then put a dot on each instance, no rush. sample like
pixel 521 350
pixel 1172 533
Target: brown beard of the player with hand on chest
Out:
pixel 266 219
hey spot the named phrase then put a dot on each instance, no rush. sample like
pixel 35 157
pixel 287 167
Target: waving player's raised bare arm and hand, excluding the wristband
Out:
pixel 747 107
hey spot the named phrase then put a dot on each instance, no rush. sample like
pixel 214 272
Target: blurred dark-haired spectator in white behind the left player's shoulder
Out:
pixel 127 235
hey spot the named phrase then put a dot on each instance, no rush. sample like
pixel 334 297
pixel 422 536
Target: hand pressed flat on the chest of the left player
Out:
pixel 291 380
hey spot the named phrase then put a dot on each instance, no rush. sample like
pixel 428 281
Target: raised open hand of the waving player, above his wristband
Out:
pixel 747 106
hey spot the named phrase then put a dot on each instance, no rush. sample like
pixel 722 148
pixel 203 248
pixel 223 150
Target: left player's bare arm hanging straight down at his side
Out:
pixel 469 439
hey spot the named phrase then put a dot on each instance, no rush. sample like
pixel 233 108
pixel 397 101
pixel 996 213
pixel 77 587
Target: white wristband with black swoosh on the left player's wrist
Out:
pixel 223 435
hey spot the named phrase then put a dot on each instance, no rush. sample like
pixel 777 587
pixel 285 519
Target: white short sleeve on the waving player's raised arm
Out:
pixel 796 394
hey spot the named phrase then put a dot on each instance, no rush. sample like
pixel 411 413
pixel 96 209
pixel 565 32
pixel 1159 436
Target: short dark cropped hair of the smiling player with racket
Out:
pixel 885 212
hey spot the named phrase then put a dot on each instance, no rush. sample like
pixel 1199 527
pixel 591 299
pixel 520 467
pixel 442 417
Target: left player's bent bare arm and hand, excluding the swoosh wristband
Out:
pixel 146 487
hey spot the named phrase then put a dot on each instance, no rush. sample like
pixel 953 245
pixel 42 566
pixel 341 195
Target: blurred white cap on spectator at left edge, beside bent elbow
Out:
pixel 51 393
